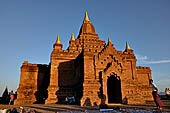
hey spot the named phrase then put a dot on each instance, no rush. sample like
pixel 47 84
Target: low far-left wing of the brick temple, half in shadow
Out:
pixel 33 81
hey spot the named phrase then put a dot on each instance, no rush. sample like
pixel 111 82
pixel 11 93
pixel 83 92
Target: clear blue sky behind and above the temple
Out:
pixel 29 28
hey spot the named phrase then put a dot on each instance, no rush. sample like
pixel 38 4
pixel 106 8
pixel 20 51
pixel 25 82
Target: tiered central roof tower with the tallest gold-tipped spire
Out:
pixel 87 39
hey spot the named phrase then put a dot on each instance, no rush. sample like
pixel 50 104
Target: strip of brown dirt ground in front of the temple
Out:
pixel 113 108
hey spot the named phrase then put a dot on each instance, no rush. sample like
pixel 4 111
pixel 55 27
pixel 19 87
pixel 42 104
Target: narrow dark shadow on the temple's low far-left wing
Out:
pixel 43 80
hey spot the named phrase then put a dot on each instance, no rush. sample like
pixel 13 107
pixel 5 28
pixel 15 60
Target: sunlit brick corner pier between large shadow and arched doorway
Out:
pixel 90 85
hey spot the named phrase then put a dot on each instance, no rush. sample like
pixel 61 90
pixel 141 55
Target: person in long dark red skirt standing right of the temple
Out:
pixel 155 95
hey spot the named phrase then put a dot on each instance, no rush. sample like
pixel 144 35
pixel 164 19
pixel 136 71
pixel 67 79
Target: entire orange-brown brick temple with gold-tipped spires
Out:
pixel 91 70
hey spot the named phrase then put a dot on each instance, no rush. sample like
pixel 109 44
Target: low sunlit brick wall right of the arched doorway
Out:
pixel 136 90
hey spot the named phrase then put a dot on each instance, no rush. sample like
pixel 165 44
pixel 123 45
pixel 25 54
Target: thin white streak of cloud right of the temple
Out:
pixel 144 60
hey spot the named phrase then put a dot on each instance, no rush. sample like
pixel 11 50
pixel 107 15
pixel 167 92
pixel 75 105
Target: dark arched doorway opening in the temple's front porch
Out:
pixel 114 89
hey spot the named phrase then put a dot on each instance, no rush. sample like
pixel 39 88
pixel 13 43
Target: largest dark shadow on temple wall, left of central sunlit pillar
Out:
pixel 70 79
